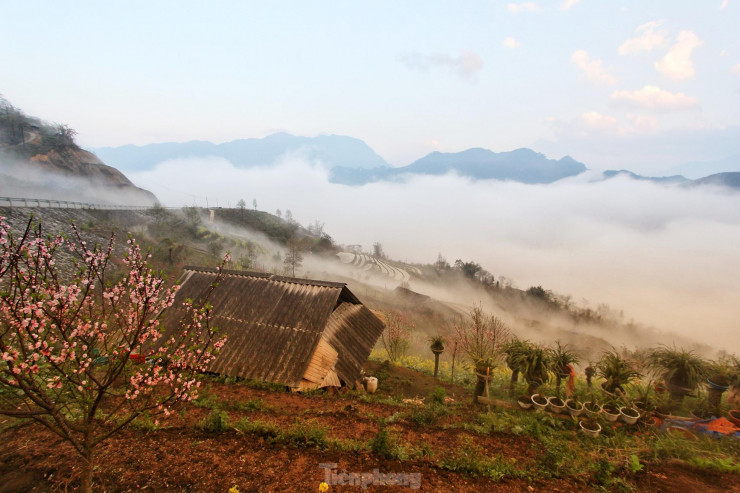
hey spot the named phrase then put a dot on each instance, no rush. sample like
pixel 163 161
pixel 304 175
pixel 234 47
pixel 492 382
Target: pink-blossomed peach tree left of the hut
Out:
pixel 84 355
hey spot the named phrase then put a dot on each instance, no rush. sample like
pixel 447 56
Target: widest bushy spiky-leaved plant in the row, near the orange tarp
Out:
pixel 682 371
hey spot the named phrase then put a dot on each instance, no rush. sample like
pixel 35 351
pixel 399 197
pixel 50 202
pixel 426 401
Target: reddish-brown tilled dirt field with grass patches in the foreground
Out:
pixel 181 457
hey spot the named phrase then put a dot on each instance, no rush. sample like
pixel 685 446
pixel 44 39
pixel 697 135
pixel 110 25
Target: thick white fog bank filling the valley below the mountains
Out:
pixel 666 256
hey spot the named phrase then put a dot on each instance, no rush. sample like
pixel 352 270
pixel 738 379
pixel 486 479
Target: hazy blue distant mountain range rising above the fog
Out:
pixel 352 162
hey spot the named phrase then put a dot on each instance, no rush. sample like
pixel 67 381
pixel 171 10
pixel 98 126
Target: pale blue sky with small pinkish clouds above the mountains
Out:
pixel 647 86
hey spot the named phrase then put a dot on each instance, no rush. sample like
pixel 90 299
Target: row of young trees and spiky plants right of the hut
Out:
pixel 486 342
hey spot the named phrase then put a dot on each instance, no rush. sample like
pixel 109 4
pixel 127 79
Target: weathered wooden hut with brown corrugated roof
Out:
pixel 300 333
